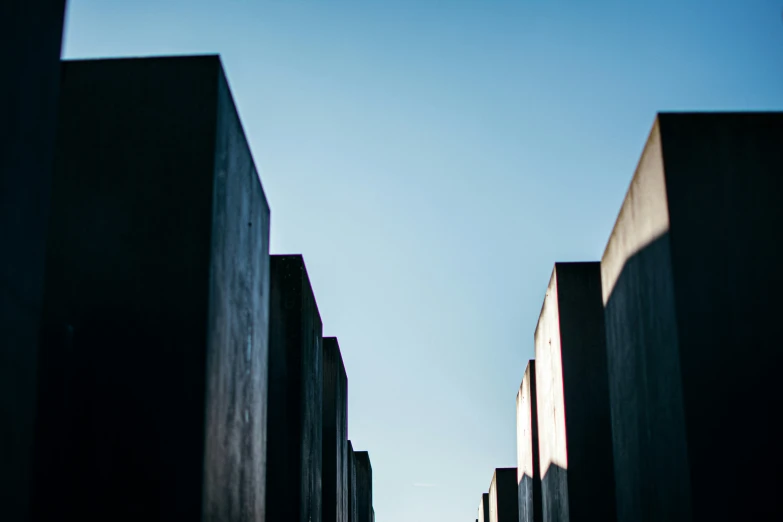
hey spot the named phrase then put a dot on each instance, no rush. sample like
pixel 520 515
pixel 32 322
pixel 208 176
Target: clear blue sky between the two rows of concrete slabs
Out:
pixel 432 160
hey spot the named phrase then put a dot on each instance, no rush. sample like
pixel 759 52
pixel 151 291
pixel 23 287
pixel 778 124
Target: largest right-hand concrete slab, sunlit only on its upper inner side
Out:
pixel 691 294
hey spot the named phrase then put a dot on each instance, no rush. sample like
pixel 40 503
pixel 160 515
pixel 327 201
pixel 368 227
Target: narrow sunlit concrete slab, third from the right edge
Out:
pixel 528 466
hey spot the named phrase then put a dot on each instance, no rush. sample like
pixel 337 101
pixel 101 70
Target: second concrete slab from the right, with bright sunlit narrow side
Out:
pixel 572 397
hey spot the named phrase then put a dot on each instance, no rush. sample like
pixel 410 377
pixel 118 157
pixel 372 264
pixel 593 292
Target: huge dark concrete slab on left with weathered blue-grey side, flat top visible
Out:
pixel 154 348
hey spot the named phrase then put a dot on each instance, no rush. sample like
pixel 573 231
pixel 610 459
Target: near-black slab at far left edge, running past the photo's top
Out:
pixel 32 32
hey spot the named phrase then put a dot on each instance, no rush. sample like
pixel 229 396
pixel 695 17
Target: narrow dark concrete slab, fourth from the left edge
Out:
pixel 335 434
